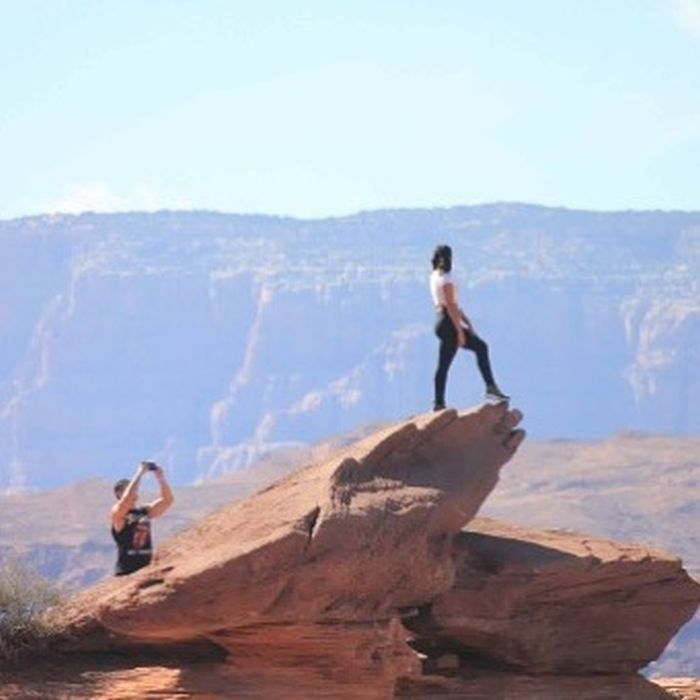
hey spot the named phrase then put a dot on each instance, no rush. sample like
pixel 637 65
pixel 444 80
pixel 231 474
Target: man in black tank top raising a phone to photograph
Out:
pixel 131 525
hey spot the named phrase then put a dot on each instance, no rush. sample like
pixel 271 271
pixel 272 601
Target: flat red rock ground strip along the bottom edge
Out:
pixel 131 679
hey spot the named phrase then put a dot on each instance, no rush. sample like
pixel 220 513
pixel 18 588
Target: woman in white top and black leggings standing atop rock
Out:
pixel 455 330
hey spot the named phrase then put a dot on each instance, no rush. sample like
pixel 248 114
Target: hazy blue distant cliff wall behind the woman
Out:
pixel 206 340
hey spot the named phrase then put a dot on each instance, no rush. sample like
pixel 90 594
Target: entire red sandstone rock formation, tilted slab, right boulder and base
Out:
pixel 296 592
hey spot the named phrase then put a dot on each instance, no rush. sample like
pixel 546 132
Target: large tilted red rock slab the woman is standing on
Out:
pixel 352 539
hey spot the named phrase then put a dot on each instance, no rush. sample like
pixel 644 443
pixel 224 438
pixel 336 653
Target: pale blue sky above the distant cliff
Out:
pixel 326 108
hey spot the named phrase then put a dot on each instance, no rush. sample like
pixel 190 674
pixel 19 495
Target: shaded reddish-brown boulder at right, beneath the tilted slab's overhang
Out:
pixel 558 602
